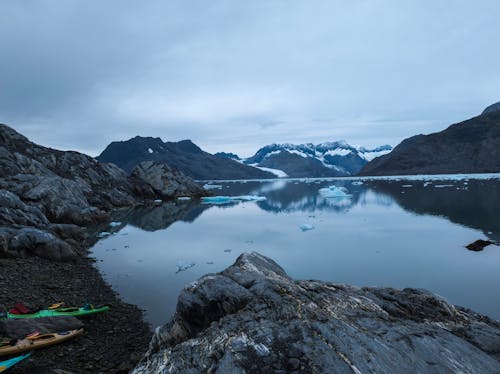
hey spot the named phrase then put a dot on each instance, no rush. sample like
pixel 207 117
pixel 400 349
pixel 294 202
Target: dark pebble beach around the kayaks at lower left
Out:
pixel 113 342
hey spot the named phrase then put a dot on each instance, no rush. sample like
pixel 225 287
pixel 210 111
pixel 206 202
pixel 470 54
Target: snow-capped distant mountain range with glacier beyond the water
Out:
pixel 330 159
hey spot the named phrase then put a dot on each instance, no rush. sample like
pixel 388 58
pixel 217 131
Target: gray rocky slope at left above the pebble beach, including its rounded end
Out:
pixel 48 197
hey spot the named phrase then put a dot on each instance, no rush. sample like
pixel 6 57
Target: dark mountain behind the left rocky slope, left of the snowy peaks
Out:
pixel 184 156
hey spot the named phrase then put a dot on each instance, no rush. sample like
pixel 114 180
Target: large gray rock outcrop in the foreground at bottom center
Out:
pixel 254 318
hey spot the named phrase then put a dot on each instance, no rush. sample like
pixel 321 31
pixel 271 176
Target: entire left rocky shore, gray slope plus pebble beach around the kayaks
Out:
pixel 51 205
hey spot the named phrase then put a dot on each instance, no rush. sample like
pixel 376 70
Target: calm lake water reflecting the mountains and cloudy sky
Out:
pixel 394 232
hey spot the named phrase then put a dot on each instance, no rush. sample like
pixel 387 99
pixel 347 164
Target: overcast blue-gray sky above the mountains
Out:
pixel 236 75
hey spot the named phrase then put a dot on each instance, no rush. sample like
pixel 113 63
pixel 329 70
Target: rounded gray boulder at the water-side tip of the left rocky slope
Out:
pixel 165 181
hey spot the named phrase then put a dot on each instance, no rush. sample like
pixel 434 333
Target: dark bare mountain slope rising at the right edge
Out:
pixel 471 146
